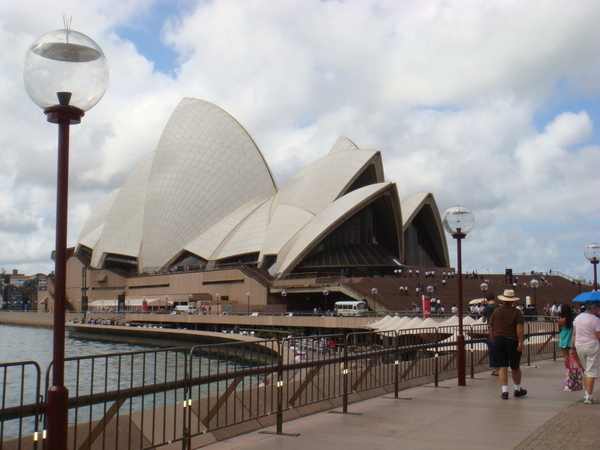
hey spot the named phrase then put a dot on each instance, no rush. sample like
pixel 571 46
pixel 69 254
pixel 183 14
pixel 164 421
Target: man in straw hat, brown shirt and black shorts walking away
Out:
pixel 507 331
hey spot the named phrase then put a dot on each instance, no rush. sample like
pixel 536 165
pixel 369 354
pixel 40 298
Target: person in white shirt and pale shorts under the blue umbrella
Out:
pixel 586 343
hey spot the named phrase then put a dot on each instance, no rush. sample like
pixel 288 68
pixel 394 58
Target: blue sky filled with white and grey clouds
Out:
pixel 492 104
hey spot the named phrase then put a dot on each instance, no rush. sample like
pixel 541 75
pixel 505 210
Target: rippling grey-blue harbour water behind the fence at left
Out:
pixel 121 366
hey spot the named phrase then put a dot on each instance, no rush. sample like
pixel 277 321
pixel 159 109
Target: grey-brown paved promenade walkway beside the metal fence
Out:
pixel 450 417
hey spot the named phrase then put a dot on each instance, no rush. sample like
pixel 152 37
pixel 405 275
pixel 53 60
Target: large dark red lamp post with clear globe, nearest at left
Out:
pixel 65 73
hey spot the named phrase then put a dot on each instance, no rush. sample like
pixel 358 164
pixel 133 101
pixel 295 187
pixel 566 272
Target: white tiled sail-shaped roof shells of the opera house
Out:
pixel 207 190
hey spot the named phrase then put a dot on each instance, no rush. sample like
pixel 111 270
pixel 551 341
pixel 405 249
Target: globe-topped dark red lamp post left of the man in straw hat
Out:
pixel 458 221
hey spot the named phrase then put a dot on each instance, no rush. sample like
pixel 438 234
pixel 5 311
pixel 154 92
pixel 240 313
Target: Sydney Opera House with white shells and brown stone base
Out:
pixel 202 216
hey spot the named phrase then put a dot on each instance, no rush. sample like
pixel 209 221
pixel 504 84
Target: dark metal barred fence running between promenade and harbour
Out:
pixel 185 398
